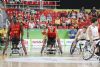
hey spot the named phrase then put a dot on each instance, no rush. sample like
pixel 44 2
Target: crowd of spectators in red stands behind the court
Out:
pixel 62 19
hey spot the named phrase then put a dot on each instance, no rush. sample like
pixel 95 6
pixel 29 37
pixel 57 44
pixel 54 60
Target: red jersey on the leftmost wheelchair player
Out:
pixel 15 30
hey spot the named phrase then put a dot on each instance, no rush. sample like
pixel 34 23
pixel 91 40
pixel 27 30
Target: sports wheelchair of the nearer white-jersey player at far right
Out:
pixel 90 51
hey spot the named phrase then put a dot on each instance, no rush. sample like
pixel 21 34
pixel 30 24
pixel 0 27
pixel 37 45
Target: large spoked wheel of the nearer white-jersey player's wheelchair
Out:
pixel 88 52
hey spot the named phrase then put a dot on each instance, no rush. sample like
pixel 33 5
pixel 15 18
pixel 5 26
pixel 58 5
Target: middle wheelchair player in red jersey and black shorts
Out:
pixel 50 36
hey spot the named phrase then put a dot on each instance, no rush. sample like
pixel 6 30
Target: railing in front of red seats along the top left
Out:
pixel 40 4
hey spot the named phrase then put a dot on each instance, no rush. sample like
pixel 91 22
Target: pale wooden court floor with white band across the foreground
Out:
pixel 36 60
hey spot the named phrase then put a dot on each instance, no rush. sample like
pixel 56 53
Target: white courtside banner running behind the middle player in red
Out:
pixel 37 43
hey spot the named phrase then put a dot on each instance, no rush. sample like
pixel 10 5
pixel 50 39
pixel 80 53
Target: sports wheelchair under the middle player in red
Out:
pixel 51 47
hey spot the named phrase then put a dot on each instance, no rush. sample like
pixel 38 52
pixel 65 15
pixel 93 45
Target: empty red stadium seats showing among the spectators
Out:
pixel 54 14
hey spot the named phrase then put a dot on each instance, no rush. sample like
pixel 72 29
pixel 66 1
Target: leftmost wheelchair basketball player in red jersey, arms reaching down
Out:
pixel 15 35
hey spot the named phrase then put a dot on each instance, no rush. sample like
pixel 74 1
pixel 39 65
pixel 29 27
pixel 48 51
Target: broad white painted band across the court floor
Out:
pixel 51 60
